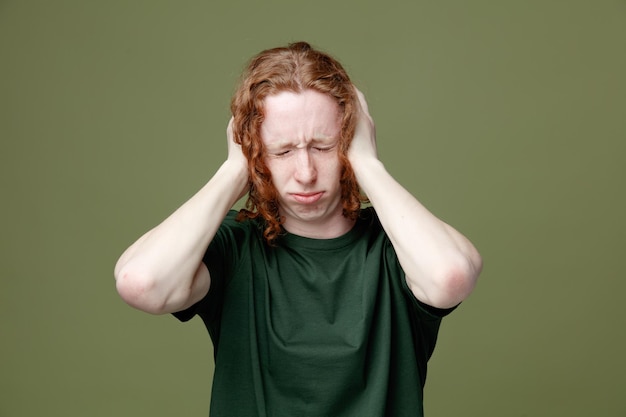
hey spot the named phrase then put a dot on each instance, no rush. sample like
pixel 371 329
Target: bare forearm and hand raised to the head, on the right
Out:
pixel 441 265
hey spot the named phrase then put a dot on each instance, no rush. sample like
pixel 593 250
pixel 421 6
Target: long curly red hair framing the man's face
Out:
pixel 296 67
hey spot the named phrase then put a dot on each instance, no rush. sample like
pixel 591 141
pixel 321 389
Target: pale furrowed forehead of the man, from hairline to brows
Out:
pixel 300 117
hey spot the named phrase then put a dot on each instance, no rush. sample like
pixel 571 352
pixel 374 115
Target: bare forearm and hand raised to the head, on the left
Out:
pixel 162 272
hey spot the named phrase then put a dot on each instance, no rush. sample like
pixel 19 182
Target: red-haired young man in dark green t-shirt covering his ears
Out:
pixel 315 306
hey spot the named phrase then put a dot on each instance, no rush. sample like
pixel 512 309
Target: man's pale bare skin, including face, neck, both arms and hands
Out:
pixel 163 272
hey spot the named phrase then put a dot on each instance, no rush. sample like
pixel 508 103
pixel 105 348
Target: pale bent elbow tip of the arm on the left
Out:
pixel 139 292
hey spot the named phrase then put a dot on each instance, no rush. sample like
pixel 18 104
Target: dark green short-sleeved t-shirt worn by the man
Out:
pixel 314 327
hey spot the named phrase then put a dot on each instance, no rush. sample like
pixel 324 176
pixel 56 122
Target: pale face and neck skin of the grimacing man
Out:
pixel 300 133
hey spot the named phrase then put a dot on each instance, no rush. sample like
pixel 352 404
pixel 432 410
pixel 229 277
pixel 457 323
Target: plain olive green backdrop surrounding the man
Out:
pixel 507 119
